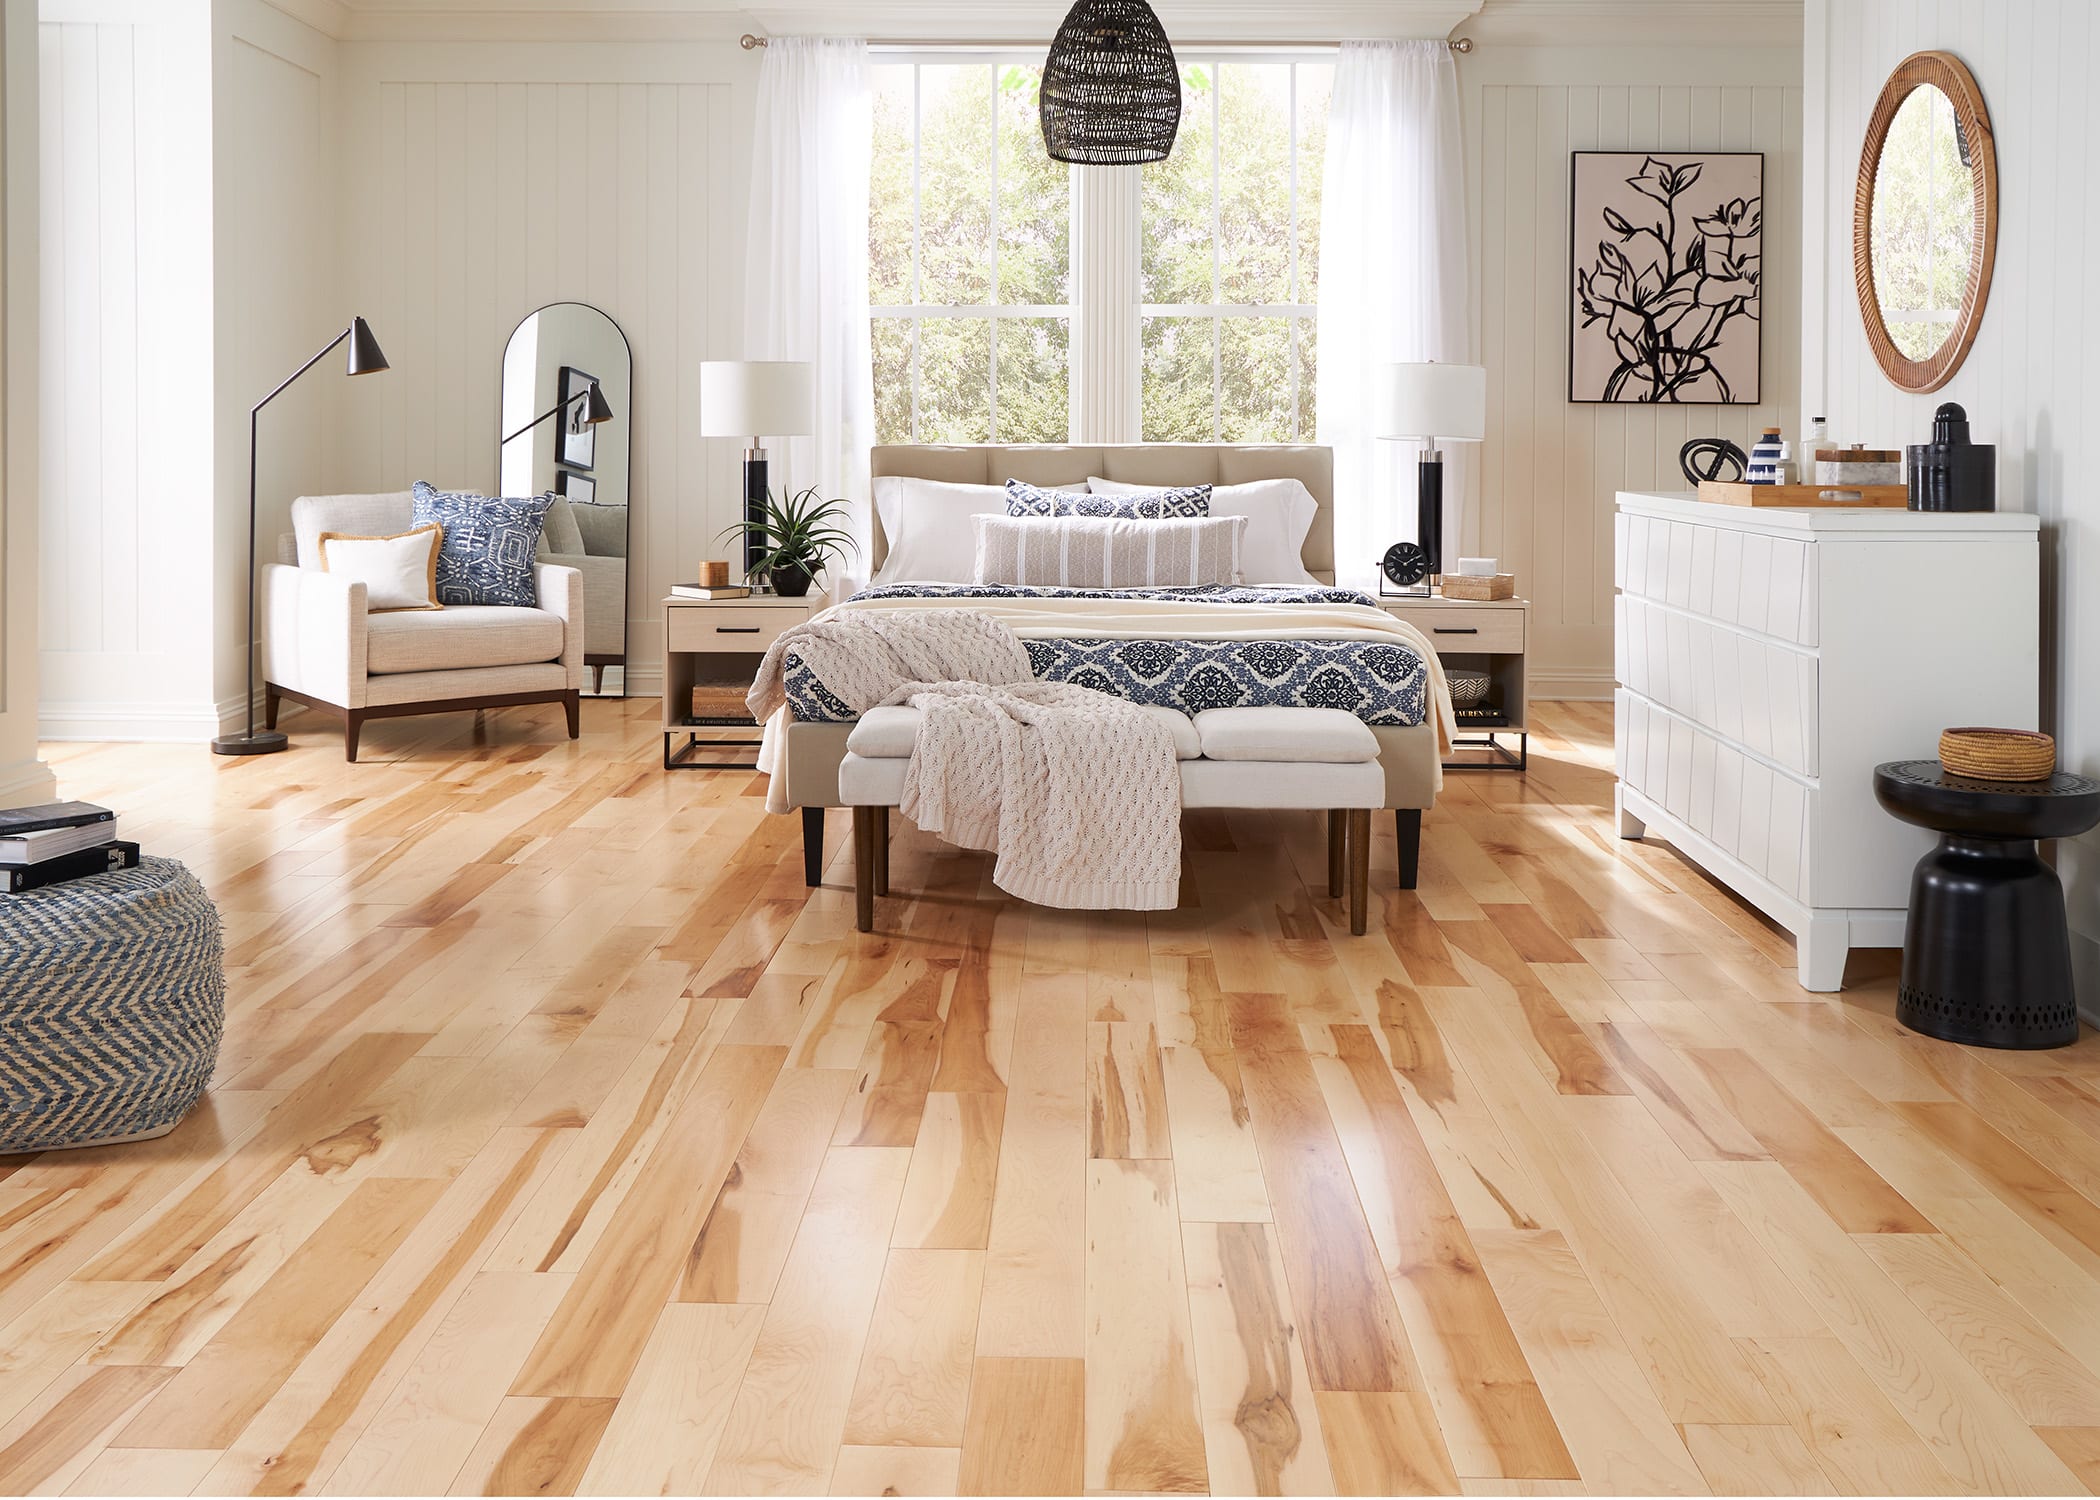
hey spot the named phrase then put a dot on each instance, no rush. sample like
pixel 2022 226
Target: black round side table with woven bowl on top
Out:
pixel 1988 951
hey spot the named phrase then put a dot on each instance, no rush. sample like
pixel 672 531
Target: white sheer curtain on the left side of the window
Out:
pixel 805 283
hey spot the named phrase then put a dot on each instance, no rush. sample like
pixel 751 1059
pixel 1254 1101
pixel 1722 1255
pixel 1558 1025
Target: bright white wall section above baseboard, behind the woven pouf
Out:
pixel 127 371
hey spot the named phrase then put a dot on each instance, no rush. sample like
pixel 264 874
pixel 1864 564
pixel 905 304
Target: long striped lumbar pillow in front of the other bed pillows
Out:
pixel 1108 554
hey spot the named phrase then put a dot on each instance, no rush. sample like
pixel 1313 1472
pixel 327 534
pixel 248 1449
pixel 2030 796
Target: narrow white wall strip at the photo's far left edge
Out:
pixel 24 778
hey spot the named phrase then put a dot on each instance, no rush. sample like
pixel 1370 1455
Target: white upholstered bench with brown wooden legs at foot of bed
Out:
pixel 1227 757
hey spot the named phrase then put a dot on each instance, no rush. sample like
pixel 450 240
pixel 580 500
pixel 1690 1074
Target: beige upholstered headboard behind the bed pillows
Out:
pixel 1137 465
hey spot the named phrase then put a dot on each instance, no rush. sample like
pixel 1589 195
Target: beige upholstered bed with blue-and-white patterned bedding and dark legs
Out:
pixel 1066 646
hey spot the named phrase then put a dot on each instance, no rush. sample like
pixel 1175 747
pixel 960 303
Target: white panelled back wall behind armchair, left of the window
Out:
pixel 495 178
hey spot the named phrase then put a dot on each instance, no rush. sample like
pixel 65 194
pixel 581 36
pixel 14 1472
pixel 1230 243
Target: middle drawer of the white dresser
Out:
pixel 1744 688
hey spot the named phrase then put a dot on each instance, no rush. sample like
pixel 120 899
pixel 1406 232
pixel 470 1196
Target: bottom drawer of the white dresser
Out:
pixel 1742 806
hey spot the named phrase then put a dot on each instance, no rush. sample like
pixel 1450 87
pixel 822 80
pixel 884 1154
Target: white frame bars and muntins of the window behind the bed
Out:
pixel 1030 56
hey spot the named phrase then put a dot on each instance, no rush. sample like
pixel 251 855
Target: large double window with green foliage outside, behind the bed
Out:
pixel 971 251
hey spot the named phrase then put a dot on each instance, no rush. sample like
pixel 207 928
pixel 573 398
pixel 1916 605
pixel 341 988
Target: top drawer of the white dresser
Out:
pixel 1746 579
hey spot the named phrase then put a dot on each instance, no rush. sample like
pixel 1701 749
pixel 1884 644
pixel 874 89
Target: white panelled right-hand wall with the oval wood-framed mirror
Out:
pixel 2028 381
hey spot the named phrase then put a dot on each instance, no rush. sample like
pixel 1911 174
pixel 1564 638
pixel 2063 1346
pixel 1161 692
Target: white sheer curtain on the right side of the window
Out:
pixel 1391 278
